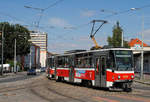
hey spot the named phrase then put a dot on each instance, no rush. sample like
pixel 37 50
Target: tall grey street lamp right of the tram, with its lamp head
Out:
pixel 142 51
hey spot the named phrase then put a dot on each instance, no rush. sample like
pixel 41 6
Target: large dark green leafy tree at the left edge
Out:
pixel 22 36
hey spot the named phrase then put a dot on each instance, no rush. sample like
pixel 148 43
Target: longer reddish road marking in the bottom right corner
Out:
pixel 134 98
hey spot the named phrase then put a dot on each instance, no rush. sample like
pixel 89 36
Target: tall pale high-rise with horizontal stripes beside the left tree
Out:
pixel 40 39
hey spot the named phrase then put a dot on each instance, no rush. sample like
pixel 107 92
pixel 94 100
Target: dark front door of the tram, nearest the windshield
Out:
pixel 100 73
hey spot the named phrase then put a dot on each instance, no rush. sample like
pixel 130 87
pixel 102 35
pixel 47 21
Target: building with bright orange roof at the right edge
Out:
pixel 136 46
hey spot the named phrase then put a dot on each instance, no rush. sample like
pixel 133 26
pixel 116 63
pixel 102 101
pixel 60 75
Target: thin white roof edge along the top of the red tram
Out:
pixel 90 51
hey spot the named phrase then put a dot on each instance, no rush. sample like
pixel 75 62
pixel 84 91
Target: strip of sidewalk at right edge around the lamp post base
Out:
pixel 145 80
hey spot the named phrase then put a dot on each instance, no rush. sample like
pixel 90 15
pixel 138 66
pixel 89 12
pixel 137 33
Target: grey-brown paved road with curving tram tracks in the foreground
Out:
pixel 41 89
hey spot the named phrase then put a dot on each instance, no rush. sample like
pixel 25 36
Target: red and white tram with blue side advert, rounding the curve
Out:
pixel 111 68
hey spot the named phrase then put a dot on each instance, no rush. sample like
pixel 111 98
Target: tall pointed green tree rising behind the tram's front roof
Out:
pixel 115 40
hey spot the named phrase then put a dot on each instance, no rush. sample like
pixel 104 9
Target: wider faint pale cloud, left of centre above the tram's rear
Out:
pixel 59 22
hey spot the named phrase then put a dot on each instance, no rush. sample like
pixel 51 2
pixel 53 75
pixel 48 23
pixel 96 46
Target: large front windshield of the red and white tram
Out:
pixel 123 60
